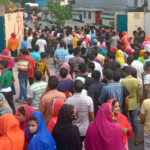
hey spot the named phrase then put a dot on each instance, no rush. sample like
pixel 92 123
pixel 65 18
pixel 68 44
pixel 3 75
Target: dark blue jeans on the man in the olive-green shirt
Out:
pixel 133 120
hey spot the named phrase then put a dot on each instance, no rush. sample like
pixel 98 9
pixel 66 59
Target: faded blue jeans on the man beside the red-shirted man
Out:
pixel 23 78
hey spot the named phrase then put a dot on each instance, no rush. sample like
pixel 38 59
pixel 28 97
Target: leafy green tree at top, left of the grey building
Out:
pixel 61 13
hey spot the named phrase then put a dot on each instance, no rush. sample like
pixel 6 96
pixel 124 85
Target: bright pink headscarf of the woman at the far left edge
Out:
pixel 11 64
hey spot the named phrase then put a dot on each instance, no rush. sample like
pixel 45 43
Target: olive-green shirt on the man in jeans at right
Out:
pixel 133 86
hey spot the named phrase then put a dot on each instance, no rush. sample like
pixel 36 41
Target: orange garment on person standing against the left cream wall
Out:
pixel 13 44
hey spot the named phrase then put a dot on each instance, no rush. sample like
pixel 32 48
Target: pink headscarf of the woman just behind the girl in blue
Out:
pixel 28 112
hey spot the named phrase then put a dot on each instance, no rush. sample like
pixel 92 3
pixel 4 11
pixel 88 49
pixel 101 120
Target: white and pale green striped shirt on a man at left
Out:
pixel 36 91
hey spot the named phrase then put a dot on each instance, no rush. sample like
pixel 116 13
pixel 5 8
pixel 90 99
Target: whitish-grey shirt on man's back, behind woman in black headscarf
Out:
pixel 84 105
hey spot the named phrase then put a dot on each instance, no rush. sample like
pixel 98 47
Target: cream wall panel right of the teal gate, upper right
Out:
pixel 135 20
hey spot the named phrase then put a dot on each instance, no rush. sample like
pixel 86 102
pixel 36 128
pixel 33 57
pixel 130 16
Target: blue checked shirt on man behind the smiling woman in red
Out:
pixel 111 90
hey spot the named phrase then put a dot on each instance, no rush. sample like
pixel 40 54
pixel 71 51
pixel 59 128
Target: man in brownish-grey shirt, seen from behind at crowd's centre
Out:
pixel 74 62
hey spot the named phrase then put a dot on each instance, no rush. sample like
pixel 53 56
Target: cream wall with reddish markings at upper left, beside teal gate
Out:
pixel 14 23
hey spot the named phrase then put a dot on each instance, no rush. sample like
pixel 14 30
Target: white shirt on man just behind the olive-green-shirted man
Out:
pixel 139 67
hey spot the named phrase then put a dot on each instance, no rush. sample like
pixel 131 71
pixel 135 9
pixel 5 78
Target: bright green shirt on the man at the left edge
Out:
pixel 6 79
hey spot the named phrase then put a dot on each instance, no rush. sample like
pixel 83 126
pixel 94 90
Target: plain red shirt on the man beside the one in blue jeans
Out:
pixel 31 69
